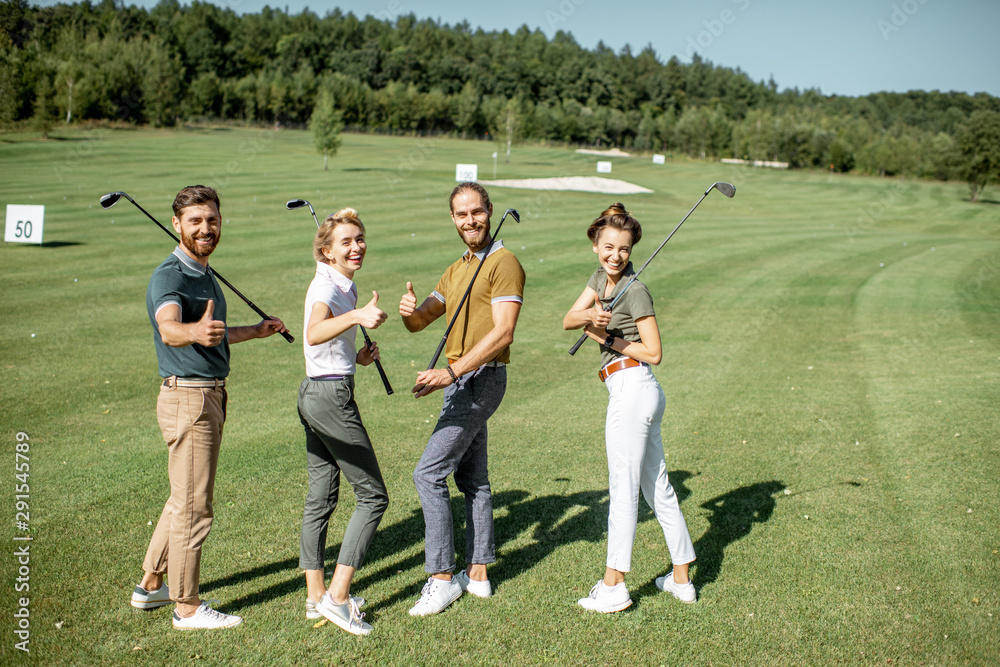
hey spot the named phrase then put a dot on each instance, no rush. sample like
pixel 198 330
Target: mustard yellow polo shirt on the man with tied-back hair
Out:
pixel 501 279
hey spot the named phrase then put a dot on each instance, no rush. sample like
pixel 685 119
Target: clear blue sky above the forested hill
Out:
pixel 843 47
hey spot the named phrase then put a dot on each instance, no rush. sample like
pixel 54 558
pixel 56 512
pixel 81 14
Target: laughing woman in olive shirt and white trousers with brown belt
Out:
pixel 630 342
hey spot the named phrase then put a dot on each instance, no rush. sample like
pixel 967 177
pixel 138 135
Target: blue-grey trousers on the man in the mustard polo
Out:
pixel 458 445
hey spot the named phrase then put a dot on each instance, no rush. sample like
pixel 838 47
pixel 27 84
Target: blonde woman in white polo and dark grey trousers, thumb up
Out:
pixel 336 439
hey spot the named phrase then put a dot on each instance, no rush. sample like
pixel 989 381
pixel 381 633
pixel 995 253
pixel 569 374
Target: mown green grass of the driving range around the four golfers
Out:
pixel 831 364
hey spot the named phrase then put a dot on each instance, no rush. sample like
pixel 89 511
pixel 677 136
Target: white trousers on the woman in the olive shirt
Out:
pixel 635 461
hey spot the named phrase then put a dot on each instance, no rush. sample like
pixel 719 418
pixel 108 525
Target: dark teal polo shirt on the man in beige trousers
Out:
pixel 185 282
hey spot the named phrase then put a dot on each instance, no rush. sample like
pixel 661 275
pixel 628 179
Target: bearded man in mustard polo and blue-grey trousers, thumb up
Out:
pixel 474 382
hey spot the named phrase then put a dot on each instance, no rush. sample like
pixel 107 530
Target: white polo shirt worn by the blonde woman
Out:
pixel 337 356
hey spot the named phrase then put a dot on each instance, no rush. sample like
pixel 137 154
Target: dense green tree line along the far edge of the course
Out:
pixel 397 74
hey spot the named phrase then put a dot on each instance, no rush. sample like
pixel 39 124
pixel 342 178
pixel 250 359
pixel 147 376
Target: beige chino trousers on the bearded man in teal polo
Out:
pixel 191 419
